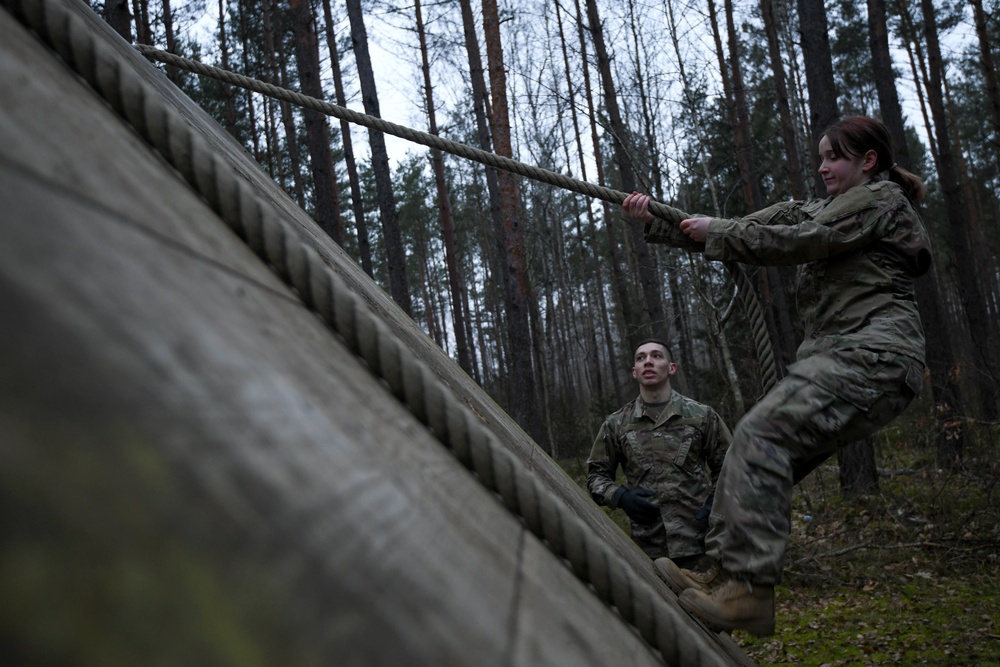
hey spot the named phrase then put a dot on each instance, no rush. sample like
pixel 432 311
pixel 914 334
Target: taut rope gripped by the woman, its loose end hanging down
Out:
pixel 748 295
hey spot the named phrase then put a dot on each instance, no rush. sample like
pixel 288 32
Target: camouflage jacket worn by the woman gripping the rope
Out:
pixel 859 254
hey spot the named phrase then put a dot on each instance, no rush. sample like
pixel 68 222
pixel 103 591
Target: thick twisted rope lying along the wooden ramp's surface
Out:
pixel 545 514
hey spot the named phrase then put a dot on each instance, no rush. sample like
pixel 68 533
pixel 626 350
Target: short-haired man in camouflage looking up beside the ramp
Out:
pixel 663 442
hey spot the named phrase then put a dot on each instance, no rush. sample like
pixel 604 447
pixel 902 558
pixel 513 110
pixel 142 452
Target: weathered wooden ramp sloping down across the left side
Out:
pixel 195 470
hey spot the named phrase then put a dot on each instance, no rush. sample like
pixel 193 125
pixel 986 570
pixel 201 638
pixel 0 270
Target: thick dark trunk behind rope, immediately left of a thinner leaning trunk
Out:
pixel 326 199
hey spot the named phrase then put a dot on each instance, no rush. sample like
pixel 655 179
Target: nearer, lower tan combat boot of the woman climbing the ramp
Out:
pixel 735 605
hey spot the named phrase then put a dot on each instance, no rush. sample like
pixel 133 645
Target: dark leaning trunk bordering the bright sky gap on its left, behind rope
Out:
pixel 399 287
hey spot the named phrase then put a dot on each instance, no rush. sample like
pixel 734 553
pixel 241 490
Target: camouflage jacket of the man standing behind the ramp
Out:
pixel 667 453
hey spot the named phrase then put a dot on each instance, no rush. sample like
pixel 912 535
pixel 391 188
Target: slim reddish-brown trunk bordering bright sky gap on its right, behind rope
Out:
pixel 444 207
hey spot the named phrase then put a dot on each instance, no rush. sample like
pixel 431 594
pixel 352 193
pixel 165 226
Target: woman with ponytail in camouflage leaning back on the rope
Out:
pixel 861 362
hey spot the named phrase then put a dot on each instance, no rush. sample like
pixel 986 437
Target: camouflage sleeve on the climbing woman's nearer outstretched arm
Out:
pixel 799 232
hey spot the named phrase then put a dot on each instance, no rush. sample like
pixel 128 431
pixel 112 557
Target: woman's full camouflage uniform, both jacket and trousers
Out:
pixel 860 365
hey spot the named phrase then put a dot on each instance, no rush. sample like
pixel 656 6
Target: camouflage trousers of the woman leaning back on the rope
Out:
pixel 827 401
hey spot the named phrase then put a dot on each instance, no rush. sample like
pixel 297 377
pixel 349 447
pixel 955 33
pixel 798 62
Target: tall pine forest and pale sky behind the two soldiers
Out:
pixel 541 294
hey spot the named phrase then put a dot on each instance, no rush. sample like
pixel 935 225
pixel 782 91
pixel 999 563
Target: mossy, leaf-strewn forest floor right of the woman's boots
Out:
pixel 909 575
